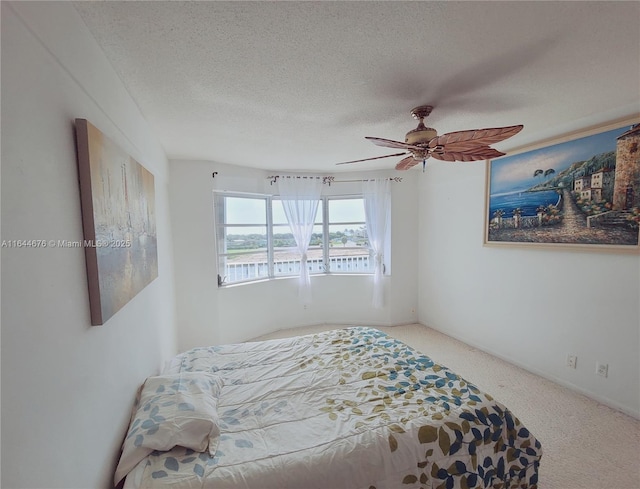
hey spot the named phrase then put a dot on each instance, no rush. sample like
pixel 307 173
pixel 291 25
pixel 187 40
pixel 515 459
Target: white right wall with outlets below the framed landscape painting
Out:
pixel 529 306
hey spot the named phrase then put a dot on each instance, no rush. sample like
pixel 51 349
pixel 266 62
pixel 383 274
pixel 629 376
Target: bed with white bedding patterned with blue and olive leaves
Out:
pixel 346 409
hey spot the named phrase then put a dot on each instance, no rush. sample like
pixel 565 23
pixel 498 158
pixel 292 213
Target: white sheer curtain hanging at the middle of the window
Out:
pixel 300 197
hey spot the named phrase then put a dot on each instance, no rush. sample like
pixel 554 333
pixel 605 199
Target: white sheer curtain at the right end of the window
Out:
pixel 377 206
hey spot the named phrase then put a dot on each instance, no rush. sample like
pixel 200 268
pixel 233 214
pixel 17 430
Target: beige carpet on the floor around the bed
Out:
pixel 586 445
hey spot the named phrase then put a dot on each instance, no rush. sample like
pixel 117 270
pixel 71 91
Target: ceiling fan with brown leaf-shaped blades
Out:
pixel 423 142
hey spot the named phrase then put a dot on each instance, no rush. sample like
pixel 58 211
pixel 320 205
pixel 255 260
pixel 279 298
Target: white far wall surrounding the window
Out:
pixel 208 314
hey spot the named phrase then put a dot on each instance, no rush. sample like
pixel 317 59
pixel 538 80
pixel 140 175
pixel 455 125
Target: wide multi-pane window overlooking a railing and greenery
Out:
pixel 254 240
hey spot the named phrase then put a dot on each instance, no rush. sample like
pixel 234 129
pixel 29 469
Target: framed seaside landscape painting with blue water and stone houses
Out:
pixel 577 193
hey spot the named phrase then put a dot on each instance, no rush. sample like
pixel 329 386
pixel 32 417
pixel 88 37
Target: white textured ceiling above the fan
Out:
pixel 297 85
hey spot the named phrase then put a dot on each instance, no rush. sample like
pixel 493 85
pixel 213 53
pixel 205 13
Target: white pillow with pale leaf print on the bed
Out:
pixel 177 409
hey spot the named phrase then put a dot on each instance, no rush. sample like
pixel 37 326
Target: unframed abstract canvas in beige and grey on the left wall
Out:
pixel 118 215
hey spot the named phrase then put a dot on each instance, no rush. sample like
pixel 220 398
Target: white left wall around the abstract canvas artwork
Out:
pixel 67 386
